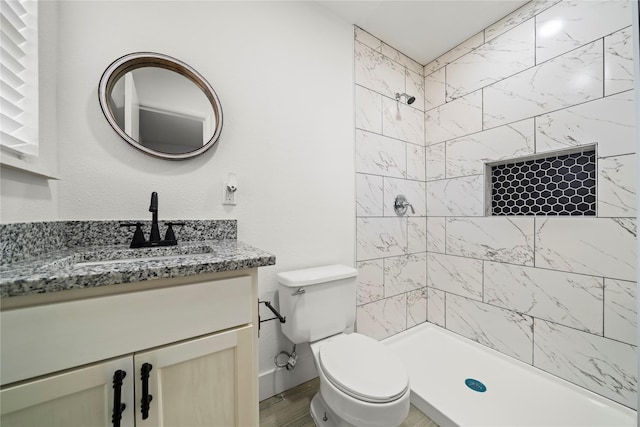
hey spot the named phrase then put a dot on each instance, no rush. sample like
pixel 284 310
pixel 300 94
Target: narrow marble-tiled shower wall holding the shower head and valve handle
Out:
pixel 390 160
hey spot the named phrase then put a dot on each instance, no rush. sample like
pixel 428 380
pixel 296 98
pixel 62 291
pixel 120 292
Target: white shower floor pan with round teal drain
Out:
pixel 439 362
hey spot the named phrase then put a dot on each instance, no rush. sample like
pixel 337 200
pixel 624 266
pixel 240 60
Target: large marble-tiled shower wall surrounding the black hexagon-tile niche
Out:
pixel 556 292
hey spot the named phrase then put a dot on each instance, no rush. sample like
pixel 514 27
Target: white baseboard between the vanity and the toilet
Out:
pixel 277 380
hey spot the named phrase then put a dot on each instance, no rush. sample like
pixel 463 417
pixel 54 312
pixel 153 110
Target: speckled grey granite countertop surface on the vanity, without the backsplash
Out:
pixel 93 266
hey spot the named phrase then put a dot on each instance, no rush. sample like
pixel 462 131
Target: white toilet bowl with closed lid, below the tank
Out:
pixel 361 383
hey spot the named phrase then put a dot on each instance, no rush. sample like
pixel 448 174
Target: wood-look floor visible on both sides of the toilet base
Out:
pixel 291 409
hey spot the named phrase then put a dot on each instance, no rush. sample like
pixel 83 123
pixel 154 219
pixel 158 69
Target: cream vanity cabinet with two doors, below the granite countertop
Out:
pixel 197 341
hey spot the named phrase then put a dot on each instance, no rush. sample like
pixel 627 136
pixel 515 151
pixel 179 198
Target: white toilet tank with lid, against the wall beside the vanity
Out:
pixel 317 302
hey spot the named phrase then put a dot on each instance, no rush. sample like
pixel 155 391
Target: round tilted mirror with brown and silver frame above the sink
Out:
pixel 160 105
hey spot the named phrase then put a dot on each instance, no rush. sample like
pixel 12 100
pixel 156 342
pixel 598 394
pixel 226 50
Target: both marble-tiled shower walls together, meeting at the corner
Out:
pixel 555 292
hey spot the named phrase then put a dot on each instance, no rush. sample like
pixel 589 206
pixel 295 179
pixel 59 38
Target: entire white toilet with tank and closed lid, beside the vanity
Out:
pixel 362 383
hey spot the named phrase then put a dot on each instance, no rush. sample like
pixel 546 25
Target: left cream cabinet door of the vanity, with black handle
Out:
pixel 79 398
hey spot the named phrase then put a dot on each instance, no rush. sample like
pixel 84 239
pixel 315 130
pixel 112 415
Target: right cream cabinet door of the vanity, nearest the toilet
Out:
pixel 204 382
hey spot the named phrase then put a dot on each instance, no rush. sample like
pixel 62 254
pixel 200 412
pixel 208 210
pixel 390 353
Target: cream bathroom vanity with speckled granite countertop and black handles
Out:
pixel 94 343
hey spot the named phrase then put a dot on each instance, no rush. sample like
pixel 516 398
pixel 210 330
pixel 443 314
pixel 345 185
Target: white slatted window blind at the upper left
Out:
pixel 19 77
